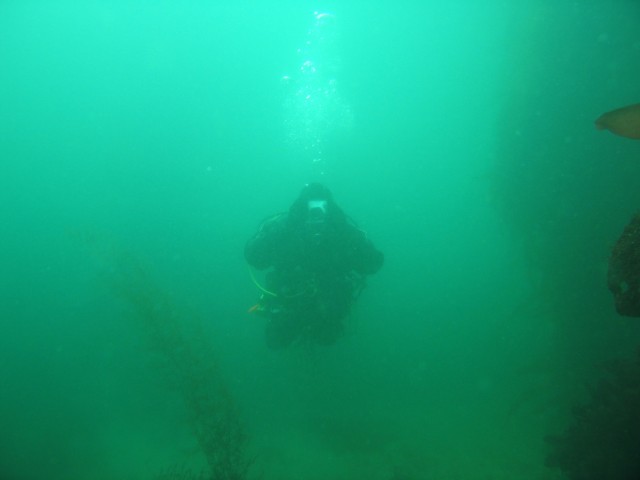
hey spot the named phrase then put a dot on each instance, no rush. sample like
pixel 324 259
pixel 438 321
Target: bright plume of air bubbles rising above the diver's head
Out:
pixel 314 109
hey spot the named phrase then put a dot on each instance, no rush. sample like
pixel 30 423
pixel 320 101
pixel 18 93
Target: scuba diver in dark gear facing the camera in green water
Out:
pixel 318 260
